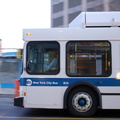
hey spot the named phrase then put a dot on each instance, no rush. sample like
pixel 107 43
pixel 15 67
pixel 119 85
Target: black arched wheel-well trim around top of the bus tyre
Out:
pixel 94 88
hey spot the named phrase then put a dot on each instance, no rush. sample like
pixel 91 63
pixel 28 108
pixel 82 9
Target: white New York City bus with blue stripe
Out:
pixel 73 68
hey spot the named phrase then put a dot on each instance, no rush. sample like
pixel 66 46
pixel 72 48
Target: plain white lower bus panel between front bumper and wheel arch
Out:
pixel 43 97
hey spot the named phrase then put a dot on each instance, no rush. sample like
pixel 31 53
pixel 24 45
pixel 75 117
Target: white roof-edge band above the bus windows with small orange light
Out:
pixel 61 34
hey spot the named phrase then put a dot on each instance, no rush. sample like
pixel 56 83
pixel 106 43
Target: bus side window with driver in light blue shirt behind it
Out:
pixel 42 58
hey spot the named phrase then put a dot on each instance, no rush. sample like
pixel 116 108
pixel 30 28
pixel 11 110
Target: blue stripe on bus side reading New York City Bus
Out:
pixel 67 81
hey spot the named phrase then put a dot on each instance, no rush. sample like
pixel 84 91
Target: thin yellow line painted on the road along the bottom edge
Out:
pixel 56 118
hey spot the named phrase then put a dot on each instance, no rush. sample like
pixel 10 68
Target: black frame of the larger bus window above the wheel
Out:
pixel 110 53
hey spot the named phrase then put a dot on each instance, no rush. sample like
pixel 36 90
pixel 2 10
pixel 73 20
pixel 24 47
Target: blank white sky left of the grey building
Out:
pixel 18 14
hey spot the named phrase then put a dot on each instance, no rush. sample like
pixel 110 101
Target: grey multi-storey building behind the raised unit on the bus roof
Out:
pixel 64 11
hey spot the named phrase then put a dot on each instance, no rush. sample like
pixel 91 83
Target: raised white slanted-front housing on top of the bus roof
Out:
pixel 96 19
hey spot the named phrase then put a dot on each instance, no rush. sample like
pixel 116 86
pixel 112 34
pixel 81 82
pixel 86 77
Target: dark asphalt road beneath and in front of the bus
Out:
pixel 10 112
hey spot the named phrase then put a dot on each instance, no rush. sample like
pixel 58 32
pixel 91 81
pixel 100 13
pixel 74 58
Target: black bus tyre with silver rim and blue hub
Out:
pixel 83 102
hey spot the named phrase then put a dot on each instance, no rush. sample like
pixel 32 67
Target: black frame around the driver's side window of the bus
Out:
pixel 43 73
